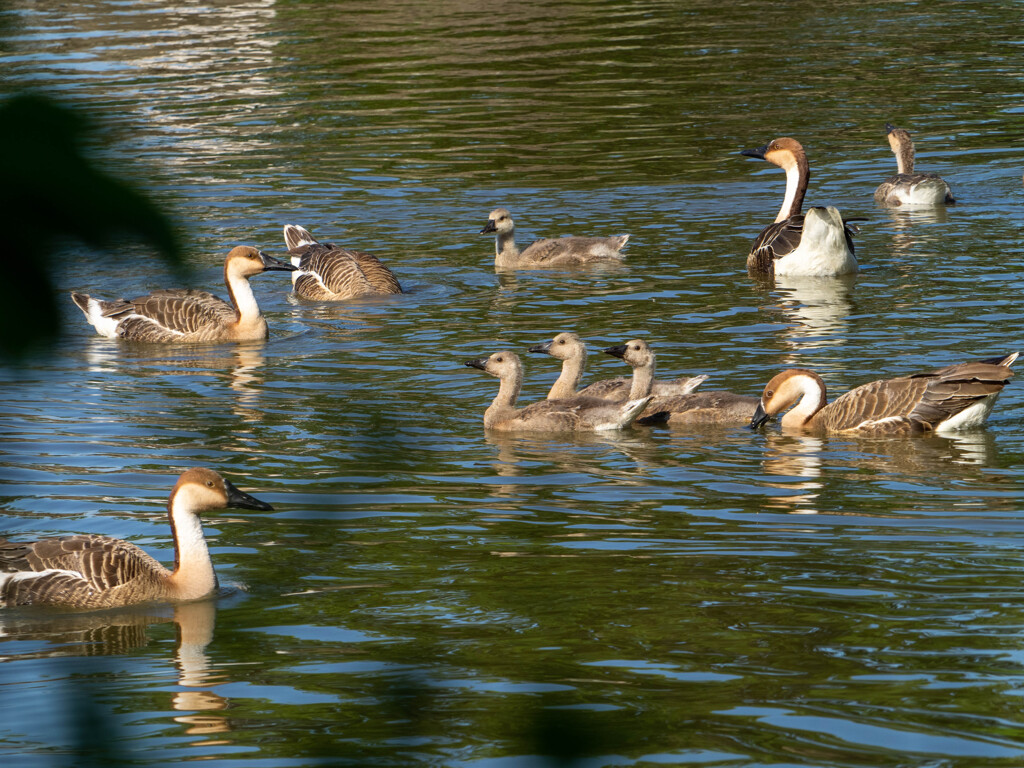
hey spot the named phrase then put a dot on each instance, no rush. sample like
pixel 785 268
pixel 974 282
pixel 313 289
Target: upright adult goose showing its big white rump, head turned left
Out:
pixel 818 243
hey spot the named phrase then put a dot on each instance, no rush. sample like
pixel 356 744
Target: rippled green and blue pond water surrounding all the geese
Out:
pixel 429 593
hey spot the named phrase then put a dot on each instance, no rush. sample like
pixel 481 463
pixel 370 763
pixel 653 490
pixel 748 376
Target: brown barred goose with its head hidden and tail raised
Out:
pixel 330 273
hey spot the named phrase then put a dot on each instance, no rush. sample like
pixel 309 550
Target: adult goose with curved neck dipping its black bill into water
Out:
pixel 954 398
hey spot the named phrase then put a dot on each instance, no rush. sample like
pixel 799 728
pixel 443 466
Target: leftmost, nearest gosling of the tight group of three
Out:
pixel 578 414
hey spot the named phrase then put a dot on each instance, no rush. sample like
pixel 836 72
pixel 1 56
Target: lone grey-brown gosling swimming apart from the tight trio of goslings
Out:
pixel 547 251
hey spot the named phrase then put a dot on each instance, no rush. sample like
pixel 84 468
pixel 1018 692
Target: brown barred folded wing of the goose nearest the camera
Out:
pixel 84 571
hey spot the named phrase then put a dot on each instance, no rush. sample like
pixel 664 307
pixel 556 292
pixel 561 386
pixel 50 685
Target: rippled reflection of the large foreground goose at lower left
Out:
pixel 119 632
